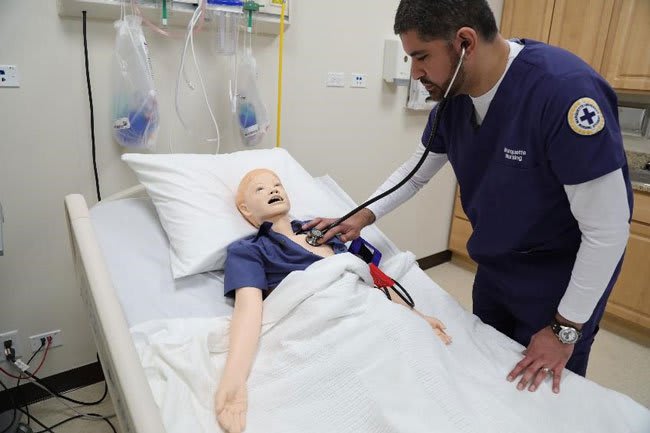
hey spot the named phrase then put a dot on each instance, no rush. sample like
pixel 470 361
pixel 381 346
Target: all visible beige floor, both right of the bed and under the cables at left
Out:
pixel 615 362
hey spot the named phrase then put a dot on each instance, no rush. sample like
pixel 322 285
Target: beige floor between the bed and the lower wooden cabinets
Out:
pixel 615 362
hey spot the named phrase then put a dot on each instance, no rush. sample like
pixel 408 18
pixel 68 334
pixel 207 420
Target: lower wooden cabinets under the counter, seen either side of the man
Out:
pixel 629 303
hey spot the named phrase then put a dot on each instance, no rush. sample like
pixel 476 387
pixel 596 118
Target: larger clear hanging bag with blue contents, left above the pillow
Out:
pixel 135 104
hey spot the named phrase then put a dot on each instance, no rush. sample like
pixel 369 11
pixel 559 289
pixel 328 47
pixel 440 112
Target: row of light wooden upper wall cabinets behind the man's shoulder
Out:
pixel 610 35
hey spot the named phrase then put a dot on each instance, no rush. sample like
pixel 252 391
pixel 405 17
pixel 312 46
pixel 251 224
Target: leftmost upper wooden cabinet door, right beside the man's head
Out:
pixel 527 19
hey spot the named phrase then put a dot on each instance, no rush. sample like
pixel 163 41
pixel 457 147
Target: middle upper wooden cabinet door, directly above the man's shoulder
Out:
pixel 581 27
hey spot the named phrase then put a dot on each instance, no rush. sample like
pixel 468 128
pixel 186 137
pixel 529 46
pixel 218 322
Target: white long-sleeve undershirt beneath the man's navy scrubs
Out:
pixel 599 206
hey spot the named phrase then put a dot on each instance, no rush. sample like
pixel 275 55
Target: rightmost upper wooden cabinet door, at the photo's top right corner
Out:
pixel 627 57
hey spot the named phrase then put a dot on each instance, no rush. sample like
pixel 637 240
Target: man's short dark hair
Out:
pixel 440 19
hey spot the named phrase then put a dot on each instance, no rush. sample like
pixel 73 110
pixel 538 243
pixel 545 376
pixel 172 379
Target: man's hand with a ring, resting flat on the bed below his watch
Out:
pixel 545 355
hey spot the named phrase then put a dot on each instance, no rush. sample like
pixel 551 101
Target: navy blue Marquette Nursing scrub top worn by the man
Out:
pixel 553 122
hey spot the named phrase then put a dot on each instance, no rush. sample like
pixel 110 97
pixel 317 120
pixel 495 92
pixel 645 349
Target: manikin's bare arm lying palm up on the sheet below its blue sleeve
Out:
pixel 231 402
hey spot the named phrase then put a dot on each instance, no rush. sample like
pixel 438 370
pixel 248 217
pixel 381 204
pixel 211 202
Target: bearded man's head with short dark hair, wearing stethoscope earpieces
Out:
pixel 434 33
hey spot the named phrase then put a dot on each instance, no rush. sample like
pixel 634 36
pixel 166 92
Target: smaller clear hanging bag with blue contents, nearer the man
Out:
pixel 251 114
